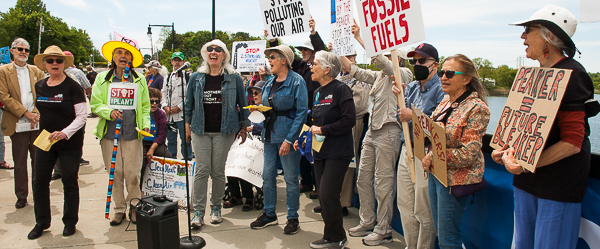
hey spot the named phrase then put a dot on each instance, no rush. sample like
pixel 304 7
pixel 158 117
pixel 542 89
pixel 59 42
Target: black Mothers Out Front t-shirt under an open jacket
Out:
pixel 213 106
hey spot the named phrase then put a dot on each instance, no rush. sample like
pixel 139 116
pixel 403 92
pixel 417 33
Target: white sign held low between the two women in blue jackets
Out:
pixel 246 161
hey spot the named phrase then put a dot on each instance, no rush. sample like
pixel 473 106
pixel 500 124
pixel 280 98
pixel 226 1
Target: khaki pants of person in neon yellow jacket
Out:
pixel 128 164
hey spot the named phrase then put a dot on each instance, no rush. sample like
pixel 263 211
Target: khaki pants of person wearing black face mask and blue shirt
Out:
pixel 413 203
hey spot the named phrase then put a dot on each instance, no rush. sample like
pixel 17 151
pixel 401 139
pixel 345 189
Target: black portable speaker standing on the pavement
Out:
pixel 157 223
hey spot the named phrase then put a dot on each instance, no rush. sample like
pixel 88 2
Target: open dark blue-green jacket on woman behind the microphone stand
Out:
pixel 232 96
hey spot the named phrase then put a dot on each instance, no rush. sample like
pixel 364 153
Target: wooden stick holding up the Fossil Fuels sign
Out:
pixel 401 105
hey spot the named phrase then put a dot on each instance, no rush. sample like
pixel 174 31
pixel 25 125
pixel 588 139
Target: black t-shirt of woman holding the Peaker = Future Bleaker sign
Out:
pixel 565 180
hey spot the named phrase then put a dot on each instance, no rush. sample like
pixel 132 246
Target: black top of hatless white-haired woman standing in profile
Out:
pixel 334 112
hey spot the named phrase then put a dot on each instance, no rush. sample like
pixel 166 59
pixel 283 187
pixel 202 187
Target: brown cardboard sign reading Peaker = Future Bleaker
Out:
pixel 529 112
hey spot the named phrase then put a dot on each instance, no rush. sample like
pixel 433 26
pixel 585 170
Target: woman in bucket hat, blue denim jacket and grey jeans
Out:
pixel 286 94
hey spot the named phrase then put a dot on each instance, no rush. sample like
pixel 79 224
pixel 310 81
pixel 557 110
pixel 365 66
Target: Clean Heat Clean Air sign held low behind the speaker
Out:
pixel 168 178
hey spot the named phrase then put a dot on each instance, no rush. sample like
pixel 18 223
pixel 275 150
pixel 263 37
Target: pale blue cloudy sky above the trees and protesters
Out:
pixel 476 28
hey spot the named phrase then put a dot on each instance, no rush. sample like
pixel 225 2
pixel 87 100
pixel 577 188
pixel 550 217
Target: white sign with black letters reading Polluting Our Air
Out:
pixel 285 17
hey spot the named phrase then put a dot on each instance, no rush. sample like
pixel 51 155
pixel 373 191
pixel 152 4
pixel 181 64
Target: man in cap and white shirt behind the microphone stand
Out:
pixel 172 103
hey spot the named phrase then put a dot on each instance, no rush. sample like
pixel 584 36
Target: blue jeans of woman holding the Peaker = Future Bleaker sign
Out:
pixel 542 223
